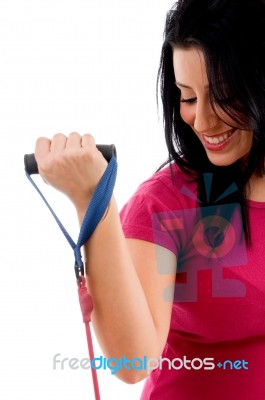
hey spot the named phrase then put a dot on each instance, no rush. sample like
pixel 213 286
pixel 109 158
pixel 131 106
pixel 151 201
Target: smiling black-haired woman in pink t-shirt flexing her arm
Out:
pixel 180 272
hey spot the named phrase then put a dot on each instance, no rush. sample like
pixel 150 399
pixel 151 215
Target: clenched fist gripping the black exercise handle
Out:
pixel 72 165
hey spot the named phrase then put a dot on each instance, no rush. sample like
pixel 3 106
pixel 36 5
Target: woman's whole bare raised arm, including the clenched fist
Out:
pixel 130 316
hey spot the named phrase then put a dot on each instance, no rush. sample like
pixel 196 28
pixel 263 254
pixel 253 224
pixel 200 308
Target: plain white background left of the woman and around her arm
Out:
pixel 66 65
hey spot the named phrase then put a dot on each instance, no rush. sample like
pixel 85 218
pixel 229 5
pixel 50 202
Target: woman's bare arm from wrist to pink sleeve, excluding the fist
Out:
pixel 130 316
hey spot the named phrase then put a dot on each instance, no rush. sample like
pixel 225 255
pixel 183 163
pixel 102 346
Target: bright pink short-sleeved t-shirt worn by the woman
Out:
pixel 216 342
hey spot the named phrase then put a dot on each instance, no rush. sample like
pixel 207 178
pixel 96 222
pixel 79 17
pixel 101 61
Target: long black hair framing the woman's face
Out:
pixel 231 35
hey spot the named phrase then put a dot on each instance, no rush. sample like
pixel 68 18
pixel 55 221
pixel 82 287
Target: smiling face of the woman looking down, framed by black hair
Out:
pixel 224 145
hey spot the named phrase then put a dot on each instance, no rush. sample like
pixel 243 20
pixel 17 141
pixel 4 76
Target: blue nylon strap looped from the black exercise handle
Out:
pixel 94 213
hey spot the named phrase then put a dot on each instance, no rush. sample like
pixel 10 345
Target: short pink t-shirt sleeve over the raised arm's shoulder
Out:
pixel 153 212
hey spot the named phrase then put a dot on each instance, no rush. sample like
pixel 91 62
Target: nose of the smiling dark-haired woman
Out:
pixel 205 118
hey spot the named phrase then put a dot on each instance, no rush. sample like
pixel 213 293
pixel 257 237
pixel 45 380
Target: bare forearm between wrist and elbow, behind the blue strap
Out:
pixel 121 317
